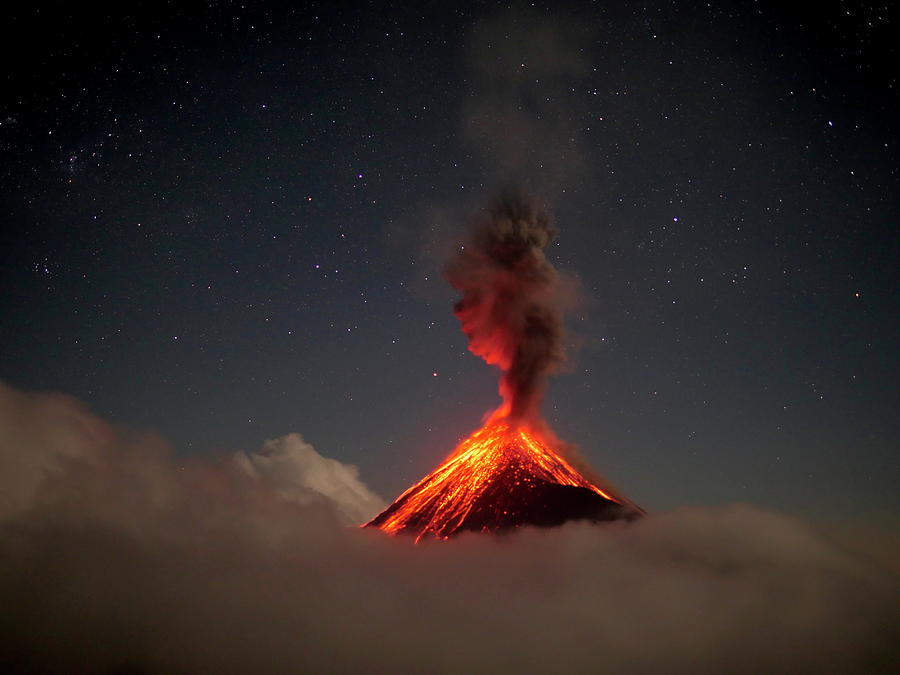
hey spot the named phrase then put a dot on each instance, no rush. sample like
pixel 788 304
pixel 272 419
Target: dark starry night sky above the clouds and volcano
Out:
pixel 228 222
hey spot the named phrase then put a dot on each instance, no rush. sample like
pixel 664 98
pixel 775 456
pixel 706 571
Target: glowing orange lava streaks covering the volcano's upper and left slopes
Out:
pixel 515 456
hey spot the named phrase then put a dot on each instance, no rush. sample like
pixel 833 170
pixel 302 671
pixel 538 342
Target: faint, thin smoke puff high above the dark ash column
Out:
pixel 520 117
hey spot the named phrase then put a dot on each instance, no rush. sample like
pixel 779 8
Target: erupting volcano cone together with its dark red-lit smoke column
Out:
pixel 510 472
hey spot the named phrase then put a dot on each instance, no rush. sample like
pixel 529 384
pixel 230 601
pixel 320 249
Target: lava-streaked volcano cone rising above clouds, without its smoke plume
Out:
pixel 501 477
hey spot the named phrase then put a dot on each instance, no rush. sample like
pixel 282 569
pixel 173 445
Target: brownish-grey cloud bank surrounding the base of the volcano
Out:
pixel 117 556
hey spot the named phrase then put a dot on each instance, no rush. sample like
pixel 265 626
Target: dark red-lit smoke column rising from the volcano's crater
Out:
pixel 510 308
